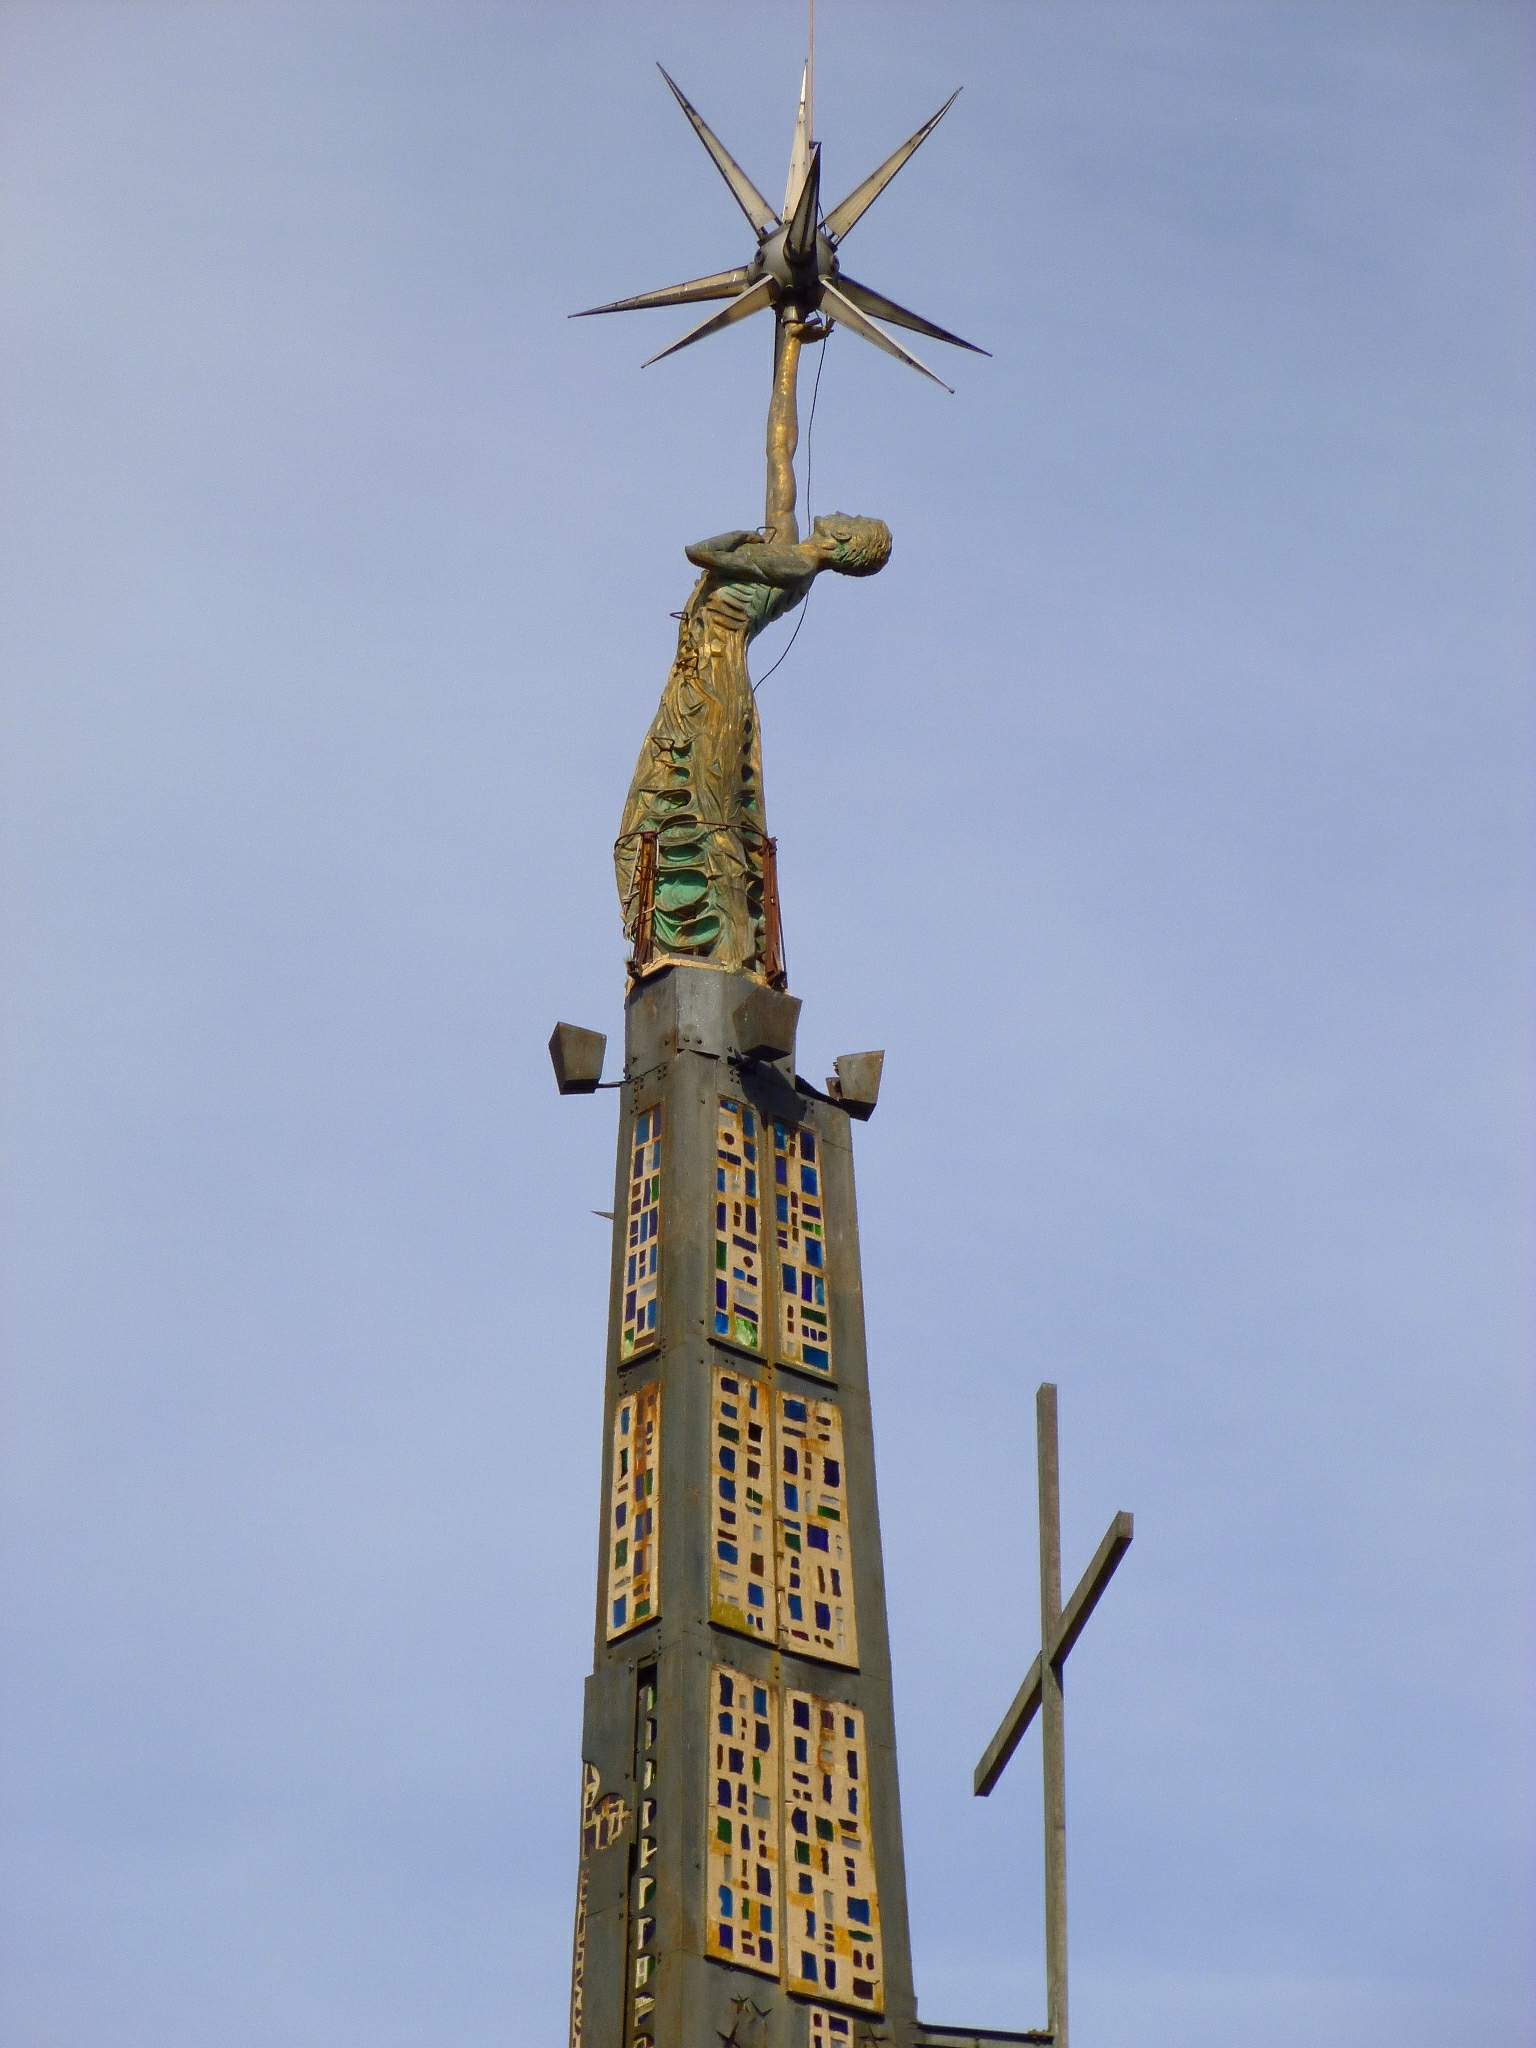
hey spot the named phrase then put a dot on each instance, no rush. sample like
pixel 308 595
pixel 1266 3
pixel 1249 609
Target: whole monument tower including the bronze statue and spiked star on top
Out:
pixel 742 1865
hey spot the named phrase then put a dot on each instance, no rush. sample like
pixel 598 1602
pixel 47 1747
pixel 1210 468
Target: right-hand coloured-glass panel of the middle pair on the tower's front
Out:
pixel 816 1568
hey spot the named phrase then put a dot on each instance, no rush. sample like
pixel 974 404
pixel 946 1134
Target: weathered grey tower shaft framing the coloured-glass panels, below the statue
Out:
pixel 689 1041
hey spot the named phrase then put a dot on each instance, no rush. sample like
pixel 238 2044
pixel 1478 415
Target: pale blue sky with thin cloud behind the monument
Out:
pixel 1164 810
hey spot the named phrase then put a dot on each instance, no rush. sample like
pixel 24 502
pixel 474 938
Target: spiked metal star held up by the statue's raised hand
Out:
pixel 796 267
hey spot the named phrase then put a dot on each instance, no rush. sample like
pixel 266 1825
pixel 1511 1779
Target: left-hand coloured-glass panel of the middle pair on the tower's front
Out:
pixel 742 1514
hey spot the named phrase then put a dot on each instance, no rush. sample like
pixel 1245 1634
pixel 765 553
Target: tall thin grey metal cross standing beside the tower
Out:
pixel 1043 1693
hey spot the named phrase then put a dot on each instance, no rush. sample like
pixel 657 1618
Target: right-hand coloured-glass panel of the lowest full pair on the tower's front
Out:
pixel 833 1918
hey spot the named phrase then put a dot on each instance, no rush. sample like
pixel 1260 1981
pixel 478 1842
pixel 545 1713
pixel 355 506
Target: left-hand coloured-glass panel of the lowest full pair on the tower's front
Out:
pixel 742 1867
